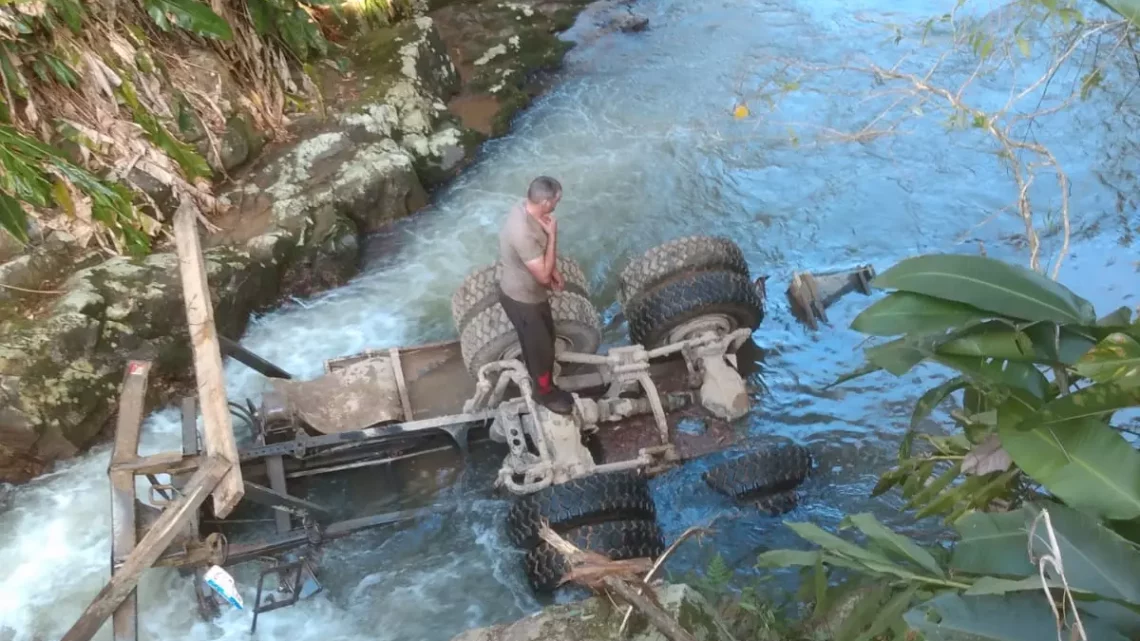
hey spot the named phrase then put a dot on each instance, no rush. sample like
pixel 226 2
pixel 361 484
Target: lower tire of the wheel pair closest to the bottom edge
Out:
pixel 617 541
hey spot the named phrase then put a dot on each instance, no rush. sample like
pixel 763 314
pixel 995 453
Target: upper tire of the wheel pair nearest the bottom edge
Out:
pixel 585 501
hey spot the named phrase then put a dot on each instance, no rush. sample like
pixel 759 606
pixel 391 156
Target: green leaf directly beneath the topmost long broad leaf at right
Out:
pixel 906 313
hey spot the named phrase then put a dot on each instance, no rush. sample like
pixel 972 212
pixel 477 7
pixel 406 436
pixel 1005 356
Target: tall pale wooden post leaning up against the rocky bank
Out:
pixel 218 437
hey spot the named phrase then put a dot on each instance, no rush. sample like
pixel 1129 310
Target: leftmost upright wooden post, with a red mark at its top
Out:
pixel 132 402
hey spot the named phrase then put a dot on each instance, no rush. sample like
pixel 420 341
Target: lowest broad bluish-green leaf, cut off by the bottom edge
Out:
pixel 1022 616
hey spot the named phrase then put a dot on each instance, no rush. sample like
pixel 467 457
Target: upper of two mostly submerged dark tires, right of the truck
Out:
pixel 762 474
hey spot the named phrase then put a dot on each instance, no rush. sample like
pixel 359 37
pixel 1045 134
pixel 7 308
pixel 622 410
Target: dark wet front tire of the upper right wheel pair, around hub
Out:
pixel 691 303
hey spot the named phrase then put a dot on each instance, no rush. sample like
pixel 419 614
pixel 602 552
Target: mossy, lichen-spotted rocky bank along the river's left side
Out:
pixel 421 96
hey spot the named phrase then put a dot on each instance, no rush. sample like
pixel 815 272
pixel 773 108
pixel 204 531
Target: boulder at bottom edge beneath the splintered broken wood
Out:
pixel 597 620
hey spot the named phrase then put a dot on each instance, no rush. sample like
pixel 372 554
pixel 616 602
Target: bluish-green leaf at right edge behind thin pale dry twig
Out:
pixel 1096 558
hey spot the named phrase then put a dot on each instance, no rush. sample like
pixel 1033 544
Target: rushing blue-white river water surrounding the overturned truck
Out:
pixel 641 134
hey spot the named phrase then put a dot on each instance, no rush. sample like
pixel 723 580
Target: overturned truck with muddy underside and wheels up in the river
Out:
pixel 690 306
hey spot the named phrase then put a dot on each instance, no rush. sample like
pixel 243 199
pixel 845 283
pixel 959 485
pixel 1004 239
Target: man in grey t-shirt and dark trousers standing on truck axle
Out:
pixel 528 249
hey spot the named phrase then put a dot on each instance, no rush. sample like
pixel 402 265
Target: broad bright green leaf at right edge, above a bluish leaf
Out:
pixel 1084 463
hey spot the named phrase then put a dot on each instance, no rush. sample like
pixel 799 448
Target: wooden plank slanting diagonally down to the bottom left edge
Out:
pixel 126 580
